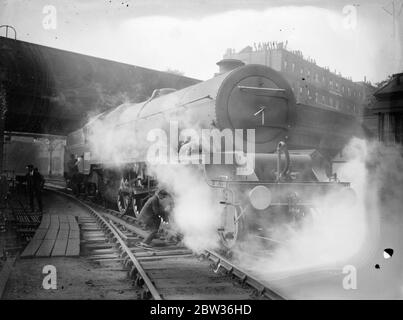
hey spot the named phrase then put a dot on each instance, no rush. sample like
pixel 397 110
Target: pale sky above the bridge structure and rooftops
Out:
pixel 352 37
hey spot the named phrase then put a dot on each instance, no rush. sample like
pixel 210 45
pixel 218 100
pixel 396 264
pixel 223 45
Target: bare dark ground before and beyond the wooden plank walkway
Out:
pixel 77 277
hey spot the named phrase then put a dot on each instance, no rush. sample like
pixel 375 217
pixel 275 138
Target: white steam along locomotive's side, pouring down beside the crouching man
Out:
pixel 196 212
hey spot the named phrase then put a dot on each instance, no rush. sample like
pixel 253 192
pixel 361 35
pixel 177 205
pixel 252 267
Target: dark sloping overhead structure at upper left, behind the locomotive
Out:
pixel 55 91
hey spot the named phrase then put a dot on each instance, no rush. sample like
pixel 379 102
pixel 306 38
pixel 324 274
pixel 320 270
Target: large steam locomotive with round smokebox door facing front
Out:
pixel 292 148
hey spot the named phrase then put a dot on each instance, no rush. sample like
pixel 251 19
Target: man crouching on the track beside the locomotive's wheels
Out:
pixel 156 208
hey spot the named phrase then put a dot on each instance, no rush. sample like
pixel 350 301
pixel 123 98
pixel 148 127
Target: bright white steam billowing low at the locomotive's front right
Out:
pixel 333 232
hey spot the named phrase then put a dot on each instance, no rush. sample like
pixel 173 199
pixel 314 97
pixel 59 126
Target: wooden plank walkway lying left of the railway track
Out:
pixel 57 235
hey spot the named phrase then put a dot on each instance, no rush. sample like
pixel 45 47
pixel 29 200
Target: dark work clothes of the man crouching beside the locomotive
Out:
pixel 151 215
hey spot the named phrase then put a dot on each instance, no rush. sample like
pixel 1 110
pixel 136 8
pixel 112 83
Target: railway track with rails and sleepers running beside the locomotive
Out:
pixel 169 271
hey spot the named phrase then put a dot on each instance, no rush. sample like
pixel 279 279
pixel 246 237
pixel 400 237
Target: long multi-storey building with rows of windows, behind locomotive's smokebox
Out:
pixel 312 84
